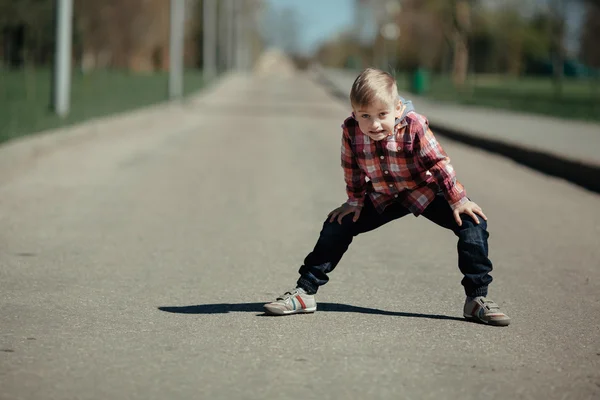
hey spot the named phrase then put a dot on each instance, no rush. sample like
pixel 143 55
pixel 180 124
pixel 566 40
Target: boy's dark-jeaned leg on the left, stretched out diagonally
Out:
pixel 334 240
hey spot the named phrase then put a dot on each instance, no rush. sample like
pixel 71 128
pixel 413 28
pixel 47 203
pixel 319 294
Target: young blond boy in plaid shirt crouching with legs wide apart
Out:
pixel 394 166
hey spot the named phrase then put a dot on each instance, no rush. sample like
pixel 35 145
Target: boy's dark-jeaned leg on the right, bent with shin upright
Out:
pixel 472 246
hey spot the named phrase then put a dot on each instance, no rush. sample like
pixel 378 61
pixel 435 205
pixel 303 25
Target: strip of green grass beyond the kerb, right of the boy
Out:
pixel 579 99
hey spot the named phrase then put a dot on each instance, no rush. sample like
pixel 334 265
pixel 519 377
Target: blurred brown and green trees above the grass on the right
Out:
pixel 462 36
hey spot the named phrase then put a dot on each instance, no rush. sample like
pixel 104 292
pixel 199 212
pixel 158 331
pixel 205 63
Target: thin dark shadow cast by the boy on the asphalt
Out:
pixel 327 307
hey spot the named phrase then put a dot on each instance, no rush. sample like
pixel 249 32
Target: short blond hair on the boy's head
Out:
pixel 371 86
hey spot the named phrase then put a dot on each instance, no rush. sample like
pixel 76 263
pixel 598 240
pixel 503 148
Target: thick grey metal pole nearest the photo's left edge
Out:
pixel 62 66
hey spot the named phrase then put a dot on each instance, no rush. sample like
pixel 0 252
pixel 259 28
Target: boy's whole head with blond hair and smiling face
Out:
pixel 374 99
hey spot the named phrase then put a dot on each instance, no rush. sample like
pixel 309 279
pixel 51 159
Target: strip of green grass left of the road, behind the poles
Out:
pixel 25 95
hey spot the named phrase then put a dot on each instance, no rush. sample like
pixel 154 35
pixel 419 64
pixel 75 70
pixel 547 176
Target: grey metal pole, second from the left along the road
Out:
pixel 177 28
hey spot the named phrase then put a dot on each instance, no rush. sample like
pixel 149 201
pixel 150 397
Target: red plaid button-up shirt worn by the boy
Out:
pixel 409 166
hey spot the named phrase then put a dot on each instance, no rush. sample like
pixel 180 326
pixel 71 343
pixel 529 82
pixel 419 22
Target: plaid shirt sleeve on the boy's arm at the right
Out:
pixel 433 158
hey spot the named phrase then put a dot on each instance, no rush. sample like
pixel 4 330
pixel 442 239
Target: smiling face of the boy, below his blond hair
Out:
pixel 377 120
